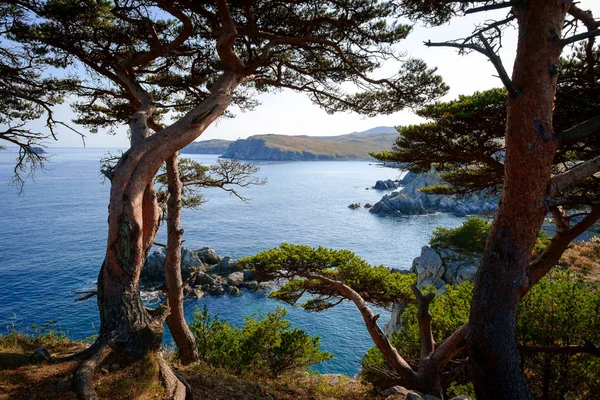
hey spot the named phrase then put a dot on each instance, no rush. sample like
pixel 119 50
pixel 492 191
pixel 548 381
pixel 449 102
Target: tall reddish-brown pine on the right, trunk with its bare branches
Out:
pixel 531 180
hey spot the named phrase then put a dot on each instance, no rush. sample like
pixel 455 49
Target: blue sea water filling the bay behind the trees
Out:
pixel 53 238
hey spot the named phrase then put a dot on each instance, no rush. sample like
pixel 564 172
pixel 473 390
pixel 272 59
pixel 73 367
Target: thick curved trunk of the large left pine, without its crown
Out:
pixel 133 222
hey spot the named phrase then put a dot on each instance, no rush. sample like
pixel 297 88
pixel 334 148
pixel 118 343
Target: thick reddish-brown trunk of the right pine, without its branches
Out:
pixel 530 149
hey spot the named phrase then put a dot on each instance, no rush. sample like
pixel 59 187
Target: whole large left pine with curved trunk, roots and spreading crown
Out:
pixel 169 69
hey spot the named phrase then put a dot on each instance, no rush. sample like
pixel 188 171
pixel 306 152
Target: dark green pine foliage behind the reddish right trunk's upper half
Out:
pixel 463 139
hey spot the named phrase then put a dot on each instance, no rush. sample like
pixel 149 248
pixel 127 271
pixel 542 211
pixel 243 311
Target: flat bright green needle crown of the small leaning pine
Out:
pixel 301 265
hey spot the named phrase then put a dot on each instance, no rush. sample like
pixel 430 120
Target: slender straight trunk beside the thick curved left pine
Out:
pixel 176 319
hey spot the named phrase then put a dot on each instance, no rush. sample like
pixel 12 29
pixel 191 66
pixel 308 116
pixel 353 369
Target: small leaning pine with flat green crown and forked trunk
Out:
pixel 323 278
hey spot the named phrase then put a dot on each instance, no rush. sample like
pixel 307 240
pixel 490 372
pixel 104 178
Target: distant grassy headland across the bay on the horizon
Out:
pixel 354 146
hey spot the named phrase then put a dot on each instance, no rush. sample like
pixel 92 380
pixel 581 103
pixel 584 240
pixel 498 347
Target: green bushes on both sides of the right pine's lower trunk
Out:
pixel 561 310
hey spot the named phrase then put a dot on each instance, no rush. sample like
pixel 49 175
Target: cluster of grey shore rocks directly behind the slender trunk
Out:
pixel 203 271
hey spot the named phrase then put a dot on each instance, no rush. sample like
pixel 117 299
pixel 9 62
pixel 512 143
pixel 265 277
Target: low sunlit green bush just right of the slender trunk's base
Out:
pixel 264 344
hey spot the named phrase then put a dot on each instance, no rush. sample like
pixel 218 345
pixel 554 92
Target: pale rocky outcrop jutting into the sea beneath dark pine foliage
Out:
pixel 411 201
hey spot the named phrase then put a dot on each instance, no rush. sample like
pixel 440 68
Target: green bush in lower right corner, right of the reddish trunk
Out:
pixel 561 311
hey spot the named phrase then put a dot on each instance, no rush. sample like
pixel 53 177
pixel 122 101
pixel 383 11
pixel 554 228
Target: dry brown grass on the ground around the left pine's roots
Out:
pixel 21 378
